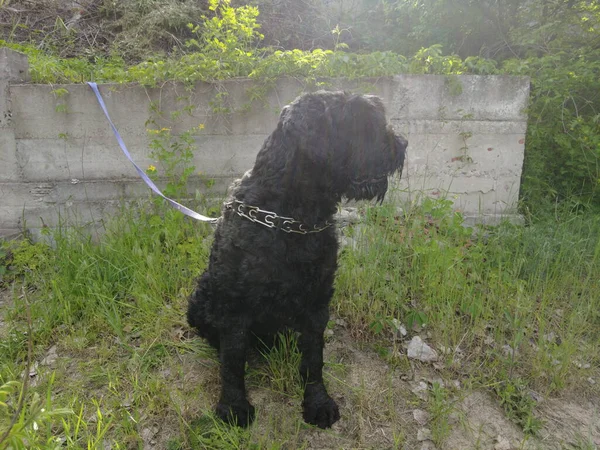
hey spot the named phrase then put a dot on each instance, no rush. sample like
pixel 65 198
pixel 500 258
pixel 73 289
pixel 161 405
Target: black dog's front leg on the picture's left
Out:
pixel 233 407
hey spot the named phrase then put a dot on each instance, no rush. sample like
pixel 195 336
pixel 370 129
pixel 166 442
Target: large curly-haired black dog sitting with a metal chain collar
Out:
pixel 274 255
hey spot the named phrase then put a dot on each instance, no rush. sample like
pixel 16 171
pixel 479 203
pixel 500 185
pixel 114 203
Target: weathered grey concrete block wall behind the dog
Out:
pixel 58 154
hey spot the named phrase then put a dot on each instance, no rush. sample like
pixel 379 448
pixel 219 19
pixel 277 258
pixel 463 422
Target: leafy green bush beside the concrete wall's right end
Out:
pixel 563 140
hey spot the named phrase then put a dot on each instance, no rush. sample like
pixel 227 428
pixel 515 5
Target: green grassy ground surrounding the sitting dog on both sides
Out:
pixel 518 307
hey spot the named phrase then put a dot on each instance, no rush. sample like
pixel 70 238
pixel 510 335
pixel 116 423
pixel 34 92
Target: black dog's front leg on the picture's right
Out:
pixel 319 407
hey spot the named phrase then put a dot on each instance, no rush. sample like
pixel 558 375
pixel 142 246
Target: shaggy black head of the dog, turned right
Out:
pixel 343 142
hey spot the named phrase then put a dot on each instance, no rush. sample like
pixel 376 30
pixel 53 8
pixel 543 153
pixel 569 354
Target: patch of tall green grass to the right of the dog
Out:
pixel 520 303
